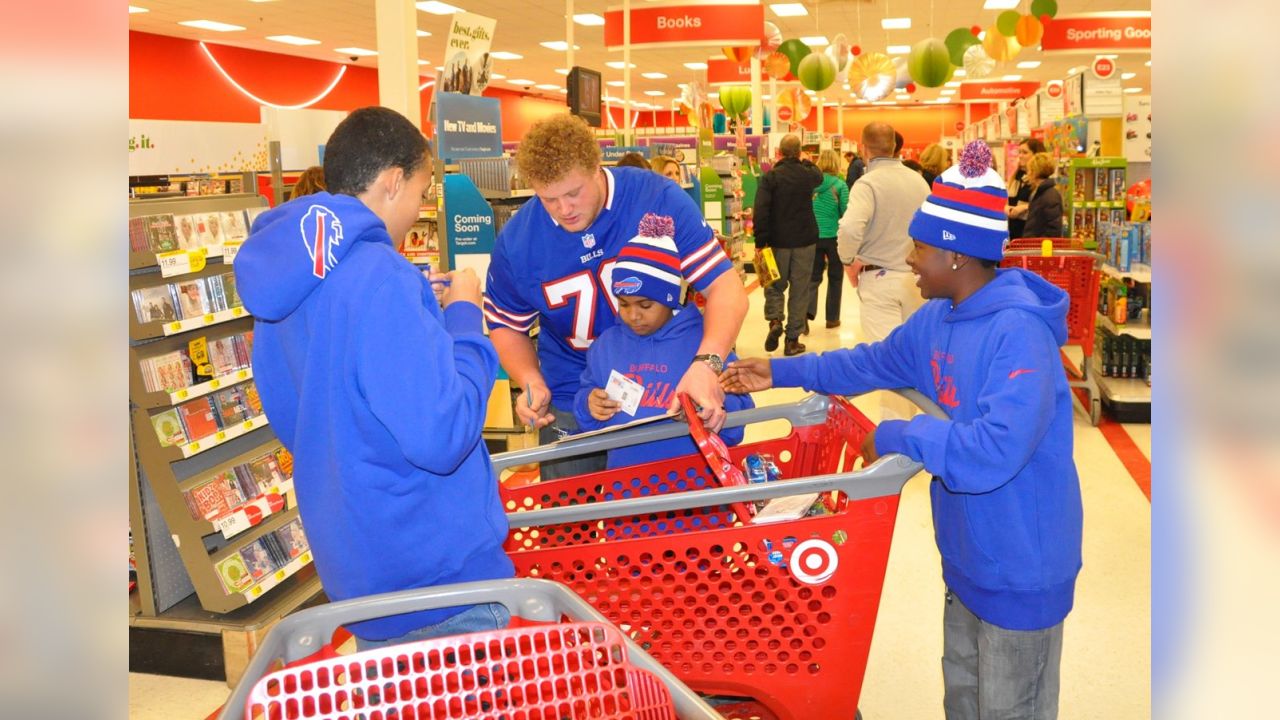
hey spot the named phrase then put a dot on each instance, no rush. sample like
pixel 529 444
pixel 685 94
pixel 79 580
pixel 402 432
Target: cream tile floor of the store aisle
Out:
pixel 1108 650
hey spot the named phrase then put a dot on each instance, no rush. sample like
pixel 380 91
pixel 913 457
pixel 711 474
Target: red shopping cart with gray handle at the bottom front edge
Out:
pixel 550 671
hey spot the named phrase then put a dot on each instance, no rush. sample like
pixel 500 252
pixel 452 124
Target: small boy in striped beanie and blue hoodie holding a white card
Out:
pixel 653 347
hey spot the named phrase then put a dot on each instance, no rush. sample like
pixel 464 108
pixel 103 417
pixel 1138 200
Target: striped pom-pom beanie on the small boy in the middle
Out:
pixel 650 263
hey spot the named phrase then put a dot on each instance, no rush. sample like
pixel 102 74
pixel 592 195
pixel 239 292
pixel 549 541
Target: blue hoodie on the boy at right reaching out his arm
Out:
pixel 1007 499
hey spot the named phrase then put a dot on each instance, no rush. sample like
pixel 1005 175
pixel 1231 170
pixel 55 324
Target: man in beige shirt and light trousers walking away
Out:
pixel 874 244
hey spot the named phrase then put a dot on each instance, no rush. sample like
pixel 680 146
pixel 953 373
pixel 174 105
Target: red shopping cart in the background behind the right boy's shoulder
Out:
pixel 1078 272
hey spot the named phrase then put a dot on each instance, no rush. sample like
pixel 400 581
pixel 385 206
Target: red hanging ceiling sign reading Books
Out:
pixel 673 26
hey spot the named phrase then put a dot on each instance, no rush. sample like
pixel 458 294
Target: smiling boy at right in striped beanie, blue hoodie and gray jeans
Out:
pixel 1007 496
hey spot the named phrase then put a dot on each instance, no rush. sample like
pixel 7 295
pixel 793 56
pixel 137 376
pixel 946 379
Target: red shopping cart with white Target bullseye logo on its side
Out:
pixel 780 613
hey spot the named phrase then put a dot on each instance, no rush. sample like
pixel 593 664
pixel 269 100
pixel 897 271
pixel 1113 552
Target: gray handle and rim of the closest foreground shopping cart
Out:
pixel 307 632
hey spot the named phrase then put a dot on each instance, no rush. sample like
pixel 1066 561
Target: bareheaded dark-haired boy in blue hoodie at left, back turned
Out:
pixel 377 393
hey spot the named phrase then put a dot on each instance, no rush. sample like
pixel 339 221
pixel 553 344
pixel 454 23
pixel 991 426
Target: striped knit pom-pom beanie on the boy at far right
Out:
pixel 966 209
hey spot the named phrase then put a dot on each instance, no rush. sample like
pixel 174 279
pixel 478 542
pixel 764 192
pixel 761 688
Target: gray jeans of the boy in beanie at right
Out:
pixel 996 675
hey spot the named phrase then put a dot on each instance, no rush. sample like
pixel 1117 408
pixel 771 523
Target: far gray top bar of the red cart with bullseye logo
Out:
pixel 810 412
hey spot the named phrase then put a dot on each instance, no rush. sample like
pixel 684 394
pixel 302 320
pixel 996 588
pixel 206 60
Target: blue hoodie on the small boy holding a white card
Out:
pixel 657 362
